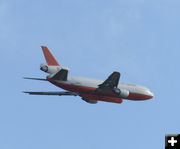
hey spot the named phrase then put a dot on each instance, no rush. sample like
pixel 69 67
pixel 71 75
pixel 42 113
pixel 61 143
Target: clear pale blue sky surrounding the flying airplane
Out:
pixel 139 38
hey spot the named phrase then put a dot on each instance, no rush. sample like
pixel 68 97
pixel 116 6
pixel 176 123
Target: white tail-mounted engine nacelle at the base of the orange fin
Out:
pixel 51 69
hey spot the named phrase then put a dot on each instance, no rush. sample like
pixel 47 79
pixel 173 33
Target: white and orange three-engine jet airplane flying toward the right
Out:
pixel 90 90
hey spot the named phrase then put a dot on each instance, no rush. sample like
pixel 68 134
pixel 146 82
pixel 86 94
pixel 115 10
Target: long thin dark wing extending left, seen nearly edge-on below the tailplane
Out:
pixel 52 93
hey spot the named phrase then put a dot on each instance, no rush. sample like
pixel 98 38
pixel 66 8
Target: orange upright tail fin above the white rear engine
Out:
pixel 51 61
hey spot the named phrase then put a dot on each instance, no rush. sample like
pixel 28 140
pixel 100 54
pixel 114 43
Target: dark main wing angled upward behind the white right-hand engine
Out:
pixel 110 83
